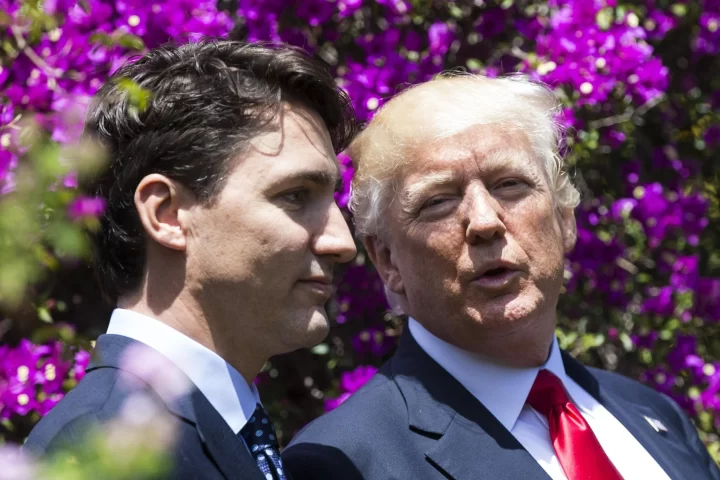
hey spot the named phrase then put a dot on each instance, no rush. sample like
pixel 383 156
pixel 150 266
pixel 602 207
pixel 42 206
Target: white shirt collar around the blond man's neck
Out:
pixel 503 390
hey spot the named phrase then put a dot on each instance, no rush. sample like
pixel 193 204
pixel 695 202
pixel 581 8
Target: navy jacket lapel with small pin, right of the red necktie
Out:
pixel 632 416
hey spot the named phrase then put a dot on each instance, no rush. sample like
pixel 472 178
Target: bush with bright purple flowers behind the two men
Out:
pixel 643 128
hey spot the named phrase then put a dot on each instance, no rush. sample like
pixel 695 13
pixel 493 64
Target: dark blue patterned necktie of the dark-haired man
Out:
pixel 259 436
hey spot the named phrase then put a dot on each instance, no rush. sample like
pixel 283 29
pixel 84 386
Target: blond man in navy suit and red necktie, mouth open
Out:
pixel 462 202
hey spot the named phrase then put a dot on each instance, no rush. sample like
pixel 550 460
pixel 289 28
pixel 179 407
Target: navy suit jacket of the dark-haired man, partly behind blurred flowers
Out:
pixel 205 448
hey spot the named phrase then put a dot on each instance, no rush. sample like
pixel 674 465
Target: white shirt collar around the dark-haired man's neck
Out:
pixel 223 386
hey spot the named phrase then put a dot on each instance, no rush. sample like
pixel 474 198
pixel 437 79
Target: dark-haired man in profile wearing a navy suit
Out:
pixel 217 243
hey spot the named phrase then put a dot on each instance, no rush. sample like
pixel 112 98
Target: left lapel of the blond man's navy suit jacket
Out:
pixel 471 442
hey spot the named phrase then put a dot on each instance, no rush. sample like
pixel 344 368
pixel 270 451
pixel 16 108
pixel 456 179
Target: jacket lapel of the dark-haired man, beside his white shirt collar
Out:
pixel 225 448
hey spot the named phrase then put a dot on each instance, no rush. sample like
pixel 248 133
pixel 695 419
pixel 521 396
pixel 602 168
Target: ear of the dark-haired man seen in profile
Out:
pixel 160 203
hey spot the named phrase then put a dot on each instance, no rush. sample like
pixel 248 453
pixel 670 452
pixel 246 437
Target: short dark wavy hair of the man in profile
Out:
pixel 206 99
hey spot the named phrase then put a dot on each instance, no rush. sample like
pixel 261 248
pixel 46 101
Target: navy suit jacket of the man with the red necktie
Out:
pixel 414 421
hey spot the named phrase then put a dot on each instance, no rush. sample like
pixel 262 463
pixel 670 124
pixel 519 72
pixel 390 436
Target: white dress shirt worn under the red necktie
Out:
pixel 503 391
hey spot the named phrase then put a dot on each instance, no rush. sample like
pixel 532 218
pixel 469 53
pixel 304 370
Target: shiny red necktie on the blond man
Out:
pixel 577 448
